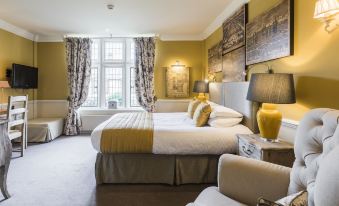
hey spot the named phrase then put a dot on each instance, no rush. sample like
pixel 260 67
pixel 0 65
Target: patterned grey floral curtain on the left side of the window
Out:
pixel 79 71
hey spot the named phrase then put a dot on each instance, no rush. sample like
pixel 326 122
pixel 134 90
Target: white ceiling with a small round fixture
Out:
pixel 176 19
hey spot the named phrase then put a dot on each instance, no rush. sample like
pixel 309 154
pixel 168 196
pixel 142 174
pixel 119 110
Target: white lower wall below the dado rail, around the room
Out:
pixel 92 117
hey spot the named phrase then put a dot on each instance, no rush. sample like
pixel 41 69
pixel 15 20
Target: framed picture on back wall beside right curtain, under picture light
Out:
pixel 177 82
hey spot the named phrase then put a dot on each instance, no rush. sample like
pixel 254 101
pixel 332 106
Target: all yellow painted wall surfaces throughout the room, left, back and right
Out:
pixel 315 61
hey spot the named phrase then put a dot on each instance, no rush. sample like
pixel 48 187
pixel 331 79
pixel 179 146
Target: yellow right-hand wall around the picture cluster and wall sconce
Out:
pixel 315 61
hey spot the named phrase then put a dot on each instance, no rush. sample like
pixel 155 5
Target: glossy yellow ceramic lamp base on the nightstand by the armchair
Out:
pixel 269 121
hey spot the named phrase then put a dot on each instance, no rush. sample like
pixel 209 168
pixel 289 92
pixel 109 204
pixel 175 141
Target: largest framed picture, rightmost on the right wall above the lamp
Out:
pixel 270 35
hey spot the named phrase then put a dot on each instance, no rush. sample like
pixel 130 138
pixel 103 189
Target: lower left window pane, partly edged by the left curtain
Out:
pixel 92 98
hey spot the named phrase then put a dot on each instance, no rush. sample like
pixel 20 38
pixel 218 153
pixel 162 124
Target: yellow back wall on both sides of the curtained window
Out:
pixel 53 73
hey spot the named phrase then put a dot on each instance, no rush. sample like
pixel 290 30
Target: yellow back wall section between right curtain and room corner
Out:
pixel 188 53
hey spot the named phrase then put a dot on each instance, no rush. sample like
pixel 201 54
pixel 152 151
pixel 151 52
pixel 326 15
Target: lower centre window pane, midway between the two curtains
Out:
pixel 113 84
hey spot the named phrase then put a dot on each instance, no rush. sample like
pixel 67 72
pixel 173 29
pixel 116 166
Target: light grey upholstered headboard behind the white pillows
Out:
pixel 233 95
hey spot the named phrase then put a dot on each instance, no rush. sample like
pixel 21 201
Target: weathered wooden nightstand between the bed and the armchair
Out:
pixel 252 146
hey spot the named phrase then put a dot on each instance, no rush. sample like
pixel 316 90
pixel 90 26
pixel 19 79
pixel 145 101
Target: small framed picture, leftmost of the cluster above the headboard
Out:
pixel 215 58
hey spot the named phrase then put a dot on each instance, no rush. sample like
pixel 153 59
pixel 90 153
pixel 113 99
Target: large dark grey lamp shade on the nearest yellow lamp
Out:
pixel 272 88
